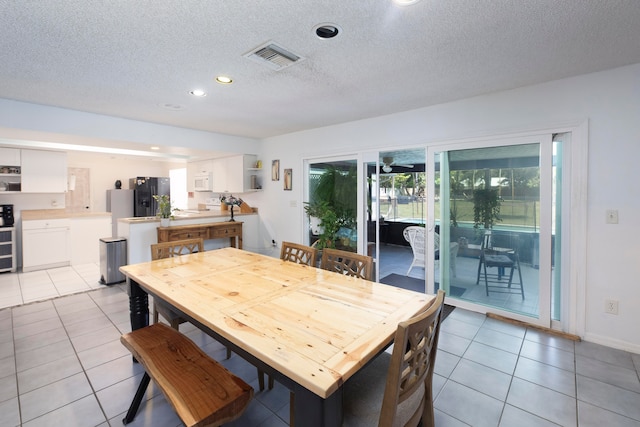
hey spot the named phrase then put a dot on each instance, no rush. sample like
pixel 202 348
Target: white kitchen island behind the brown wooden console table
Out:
pixel 142 232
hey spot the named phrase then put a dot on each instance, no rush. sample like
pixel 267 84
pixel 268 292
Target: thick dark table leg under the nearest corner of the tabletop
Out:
pixel 310 410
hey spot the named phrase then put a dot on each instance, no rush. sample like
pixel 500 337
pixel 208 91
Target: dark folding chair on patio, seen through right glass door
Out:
pixel 501 258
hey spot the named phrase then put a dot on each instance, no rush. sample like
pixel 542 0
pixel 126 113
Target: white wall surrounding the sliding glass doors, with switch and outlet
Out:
pixel 609 100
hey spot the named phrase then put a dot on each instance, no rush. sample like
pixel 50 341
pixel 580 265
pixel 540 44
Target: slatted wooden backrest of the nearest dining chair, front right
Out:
pixel 408 395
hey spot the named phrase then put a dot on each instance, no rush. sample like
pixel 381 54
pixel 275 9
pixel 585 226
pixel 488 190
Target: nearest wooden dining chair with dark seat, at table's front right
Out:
pixel 397 390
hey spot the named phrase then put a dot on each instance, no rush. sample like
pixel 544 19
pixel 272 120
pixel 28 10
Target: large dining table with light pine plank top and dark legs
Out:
pixel 311 329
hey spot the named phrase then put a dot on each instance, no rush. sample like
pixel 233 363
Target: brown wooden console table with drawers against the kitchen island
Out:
pixel 213 230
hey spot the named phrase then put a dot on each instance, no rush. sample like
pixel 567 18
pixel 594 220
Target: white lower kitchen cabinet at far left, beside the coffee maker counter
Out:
pixel 46 244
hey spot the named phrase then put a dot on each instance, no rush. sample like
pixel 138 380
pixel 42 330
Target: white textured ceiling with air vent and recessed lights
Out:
pixel 126 58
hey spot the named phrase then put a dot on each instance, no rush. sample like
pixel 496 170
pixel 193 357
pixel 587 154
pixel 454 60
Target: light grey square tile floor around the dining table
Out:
pixel 61 363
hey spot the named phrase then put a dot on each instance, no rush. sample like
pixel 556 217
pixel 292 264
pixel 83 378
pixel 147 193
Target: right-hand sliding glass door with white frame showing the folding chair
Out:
pixel 491 233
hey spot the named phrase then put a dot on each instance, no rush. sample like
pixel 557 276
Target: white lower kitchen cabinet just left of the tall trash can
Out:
pixel 86 232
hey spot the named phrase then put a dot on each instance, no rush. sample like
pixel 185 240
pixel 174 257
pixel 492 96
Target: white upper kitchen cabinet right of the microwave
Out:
pixel 233 174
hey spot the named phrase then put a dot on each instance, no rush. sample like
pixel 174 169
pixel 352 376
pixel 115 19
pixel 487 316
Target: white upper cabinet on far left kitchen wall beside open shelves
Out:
pixel 44 171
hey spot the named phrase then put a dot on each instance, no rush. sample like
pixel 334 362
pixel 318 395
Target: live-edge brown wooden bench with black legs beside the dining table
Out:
pixel 201 390
